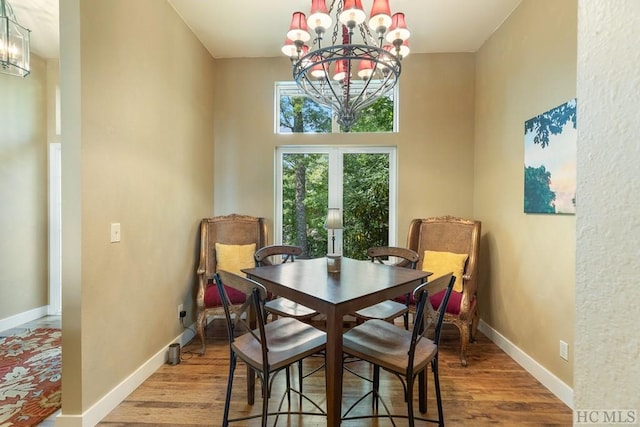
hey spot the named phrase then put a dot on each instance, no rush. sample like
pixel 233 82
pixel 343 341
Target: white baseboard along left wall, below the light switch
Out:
pixel 111 400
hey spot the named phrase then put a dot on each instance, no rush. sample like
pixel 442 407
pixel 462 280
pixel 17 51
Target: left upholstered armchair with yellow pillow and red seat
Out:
pixel 226 243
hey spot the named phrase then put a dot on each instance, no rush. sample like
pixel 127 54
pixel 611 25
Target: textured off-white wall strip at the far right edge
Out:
pixel 607 373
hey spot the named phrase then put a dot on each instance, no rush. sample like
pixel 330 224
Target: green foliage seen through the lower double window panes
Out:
pixel 365 203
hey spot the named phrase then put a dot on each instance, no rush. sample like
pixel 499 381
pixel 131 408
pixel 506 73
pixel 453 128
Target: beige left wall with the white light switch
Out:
pixel 138 149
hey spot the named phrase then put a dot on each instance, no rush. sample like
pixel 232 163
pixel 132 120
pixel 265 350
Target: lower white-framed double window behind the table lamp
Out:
pixel 358 180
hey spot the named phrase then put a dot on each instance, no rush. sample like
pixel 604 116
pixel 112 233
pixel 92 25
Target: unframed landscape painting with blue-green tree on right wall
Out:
pixel 550 161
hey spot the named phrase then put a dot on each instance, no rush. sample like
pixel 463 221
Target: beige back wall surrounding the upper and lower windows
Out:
pixel 435 142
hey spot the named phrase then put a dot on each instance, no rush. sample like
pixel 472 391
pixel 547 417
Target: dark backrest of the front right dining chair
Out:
pixel 424 309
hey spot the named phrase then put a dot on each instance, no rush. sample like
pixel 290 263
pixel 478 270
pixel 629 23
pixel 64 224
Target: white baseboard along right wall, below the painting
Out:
pixel 539 372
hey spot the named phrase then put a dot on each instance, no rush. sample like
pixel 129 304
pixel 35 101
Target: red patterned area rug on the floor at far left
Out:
pixel 30 367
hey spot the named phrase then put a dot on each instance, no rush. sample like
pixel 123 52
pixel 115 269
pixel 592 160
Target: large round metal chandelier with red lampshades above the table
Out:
pixel 362 63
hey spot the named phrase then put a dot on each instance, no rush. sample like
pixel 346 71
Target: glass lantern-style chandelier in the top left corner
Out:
pixel 14 43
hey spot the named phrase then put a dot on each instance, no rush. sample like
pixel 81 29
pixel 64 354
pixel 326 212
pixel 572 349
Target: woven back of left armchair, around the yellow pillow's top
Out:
pixel 230 229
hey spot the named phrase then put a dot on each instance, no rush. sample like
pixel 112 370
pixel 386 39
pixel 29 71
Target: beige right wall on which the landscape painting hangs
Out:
pixel 527 279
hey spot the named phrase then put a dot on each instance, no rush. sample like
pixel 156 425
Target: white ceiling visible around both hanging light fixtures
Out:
pixel 250 28
